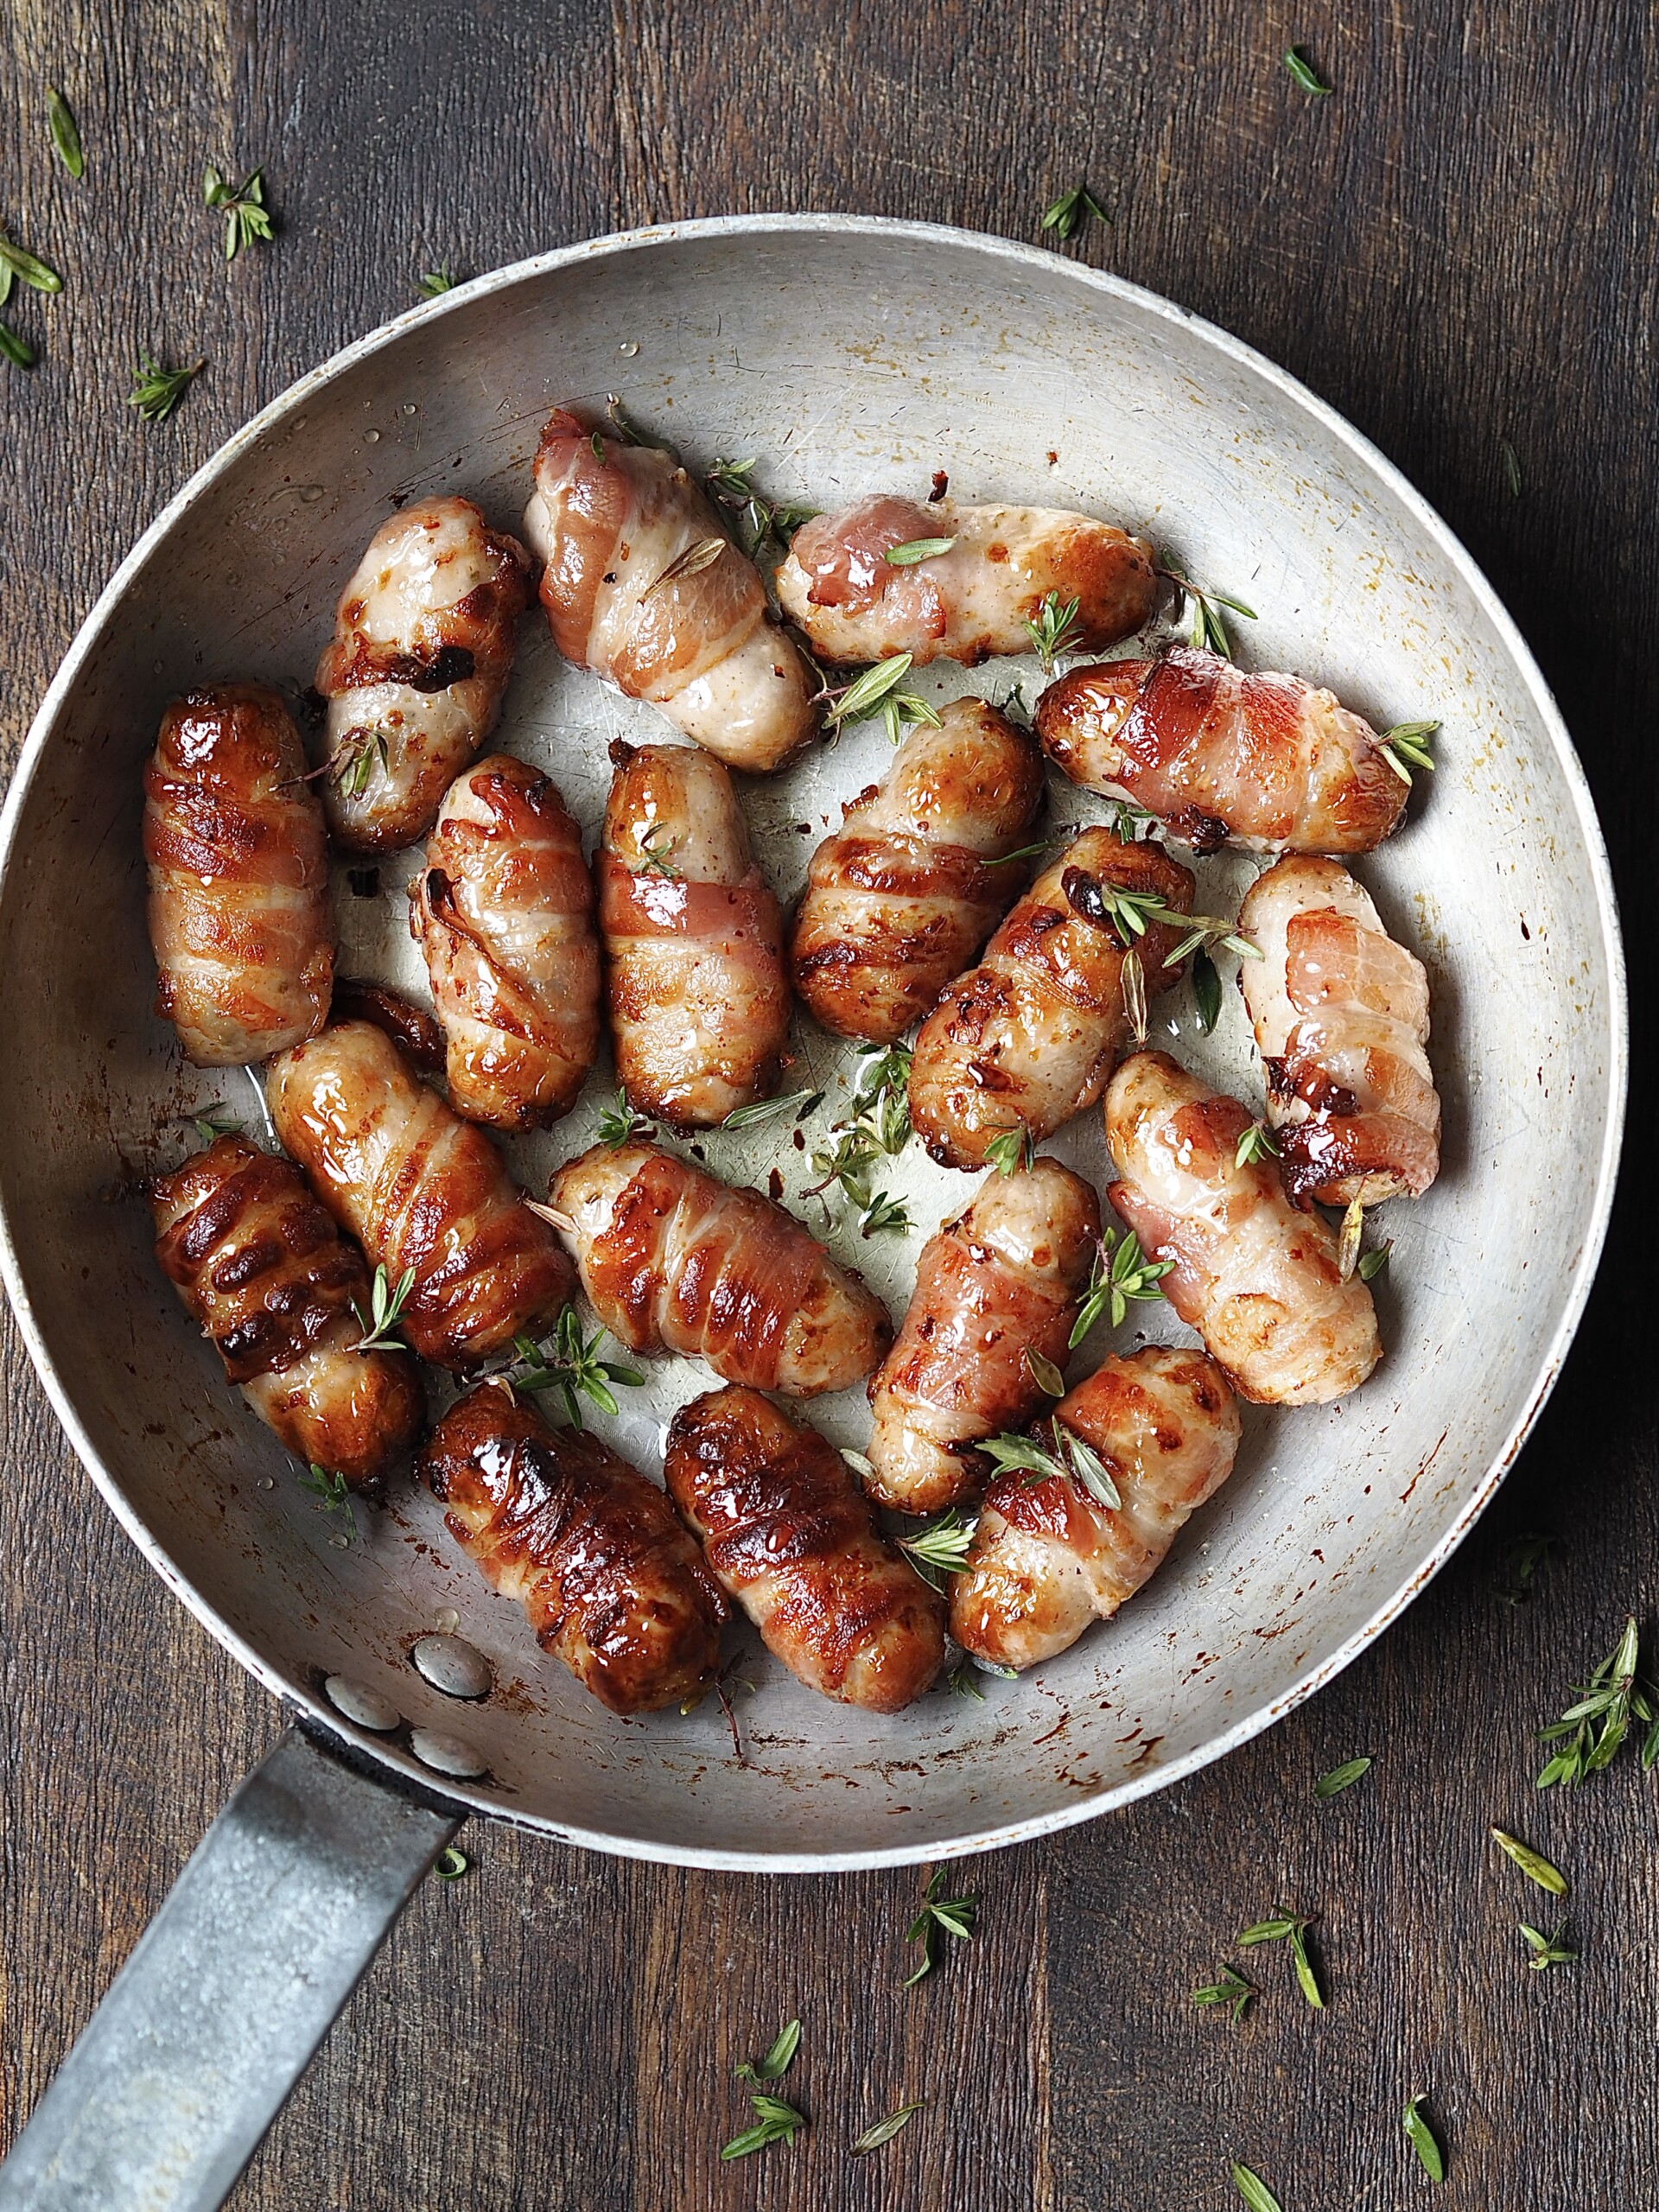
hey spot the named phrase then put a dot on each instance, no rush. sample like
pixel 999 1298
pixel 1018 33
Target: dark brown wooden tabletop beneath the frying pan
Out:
pixel 1457 251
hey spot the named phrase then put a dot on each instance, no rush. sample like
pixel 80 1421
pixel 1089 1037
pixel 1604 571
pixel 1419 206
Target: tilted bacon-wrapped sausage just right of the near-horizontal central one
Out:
pixel 1001 1282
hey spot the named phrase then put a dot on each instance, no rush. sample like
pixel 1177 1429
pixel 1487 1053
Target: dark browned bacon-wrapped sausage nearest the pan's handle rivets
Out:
pixel 554 1519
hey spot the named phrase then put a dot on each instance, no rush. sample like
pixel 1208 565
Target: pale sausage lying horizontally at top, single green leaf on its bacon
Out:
pixel 977 598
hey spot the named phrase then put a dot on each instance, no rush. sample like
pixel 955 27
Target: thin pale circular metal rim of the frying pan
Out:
pixel 1589 828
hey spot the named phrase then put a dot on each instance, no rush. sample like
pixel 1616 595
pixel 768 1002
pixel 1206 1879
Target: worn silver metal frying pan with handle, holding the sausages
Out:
pixel 844 355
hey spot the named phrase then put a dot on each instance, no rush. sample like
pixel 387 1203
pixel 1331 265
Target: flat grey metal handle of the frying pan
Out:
pixel 231 1990
